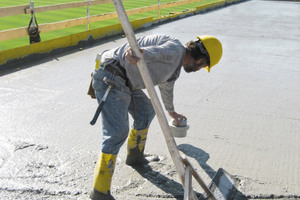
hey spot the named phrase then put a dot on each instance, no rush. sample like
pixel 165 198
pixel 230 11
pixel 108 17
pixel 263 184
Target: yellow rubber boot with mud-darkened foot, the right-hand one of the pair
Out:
pixel 135 147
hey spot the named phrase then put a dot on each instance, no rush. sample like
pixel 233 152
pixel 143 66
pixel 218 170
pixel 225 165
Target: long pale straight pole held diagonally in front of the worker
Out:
pixel 183 170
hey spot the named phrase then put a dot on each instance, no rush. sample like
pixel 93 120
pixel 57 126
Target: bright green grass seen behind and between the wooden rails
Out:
pixel 18 21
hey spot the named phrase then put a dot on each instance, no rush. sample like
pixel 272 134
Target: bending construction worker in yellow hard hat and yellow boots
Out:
pixel 165 56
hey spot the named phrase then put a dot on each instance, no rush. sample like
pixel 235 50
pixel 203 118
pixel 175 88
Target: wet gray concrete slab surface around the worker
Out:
pixel 244 116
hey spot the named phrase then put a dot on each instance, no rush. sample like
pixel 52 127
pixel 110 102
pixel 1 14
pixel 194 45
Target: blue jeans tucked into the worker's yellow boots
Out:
pixel 115 123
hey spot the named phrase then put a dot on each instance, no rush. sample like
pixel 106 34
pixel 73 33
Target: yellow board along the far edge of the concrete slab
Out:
pixel 34 51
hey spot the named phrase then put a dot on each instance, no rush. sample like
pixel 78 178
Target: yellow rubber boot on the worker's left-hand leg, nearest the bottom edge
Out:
pixel 103 173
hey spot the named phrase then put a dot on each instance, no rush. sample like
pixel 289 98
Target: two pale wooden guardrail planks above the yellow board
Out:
pixel 26 9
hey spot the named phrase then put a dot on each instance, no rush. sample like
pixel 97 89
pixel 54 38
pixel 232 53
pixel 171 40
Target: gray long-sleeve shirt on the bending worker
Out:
pixel 164 58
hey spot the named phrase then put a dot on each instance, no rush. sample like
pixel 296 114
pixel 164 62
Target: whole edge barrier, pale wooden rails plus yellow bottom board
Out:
pixel 31 51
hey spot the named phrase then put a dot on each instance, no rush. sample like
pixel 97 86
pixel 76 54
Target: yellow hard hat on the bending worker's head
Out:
pixel 214 49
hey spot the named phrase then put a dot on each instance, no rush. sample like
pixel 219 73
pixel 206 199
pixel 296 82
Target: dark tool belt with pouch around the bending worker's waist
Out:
pixel 117 70
